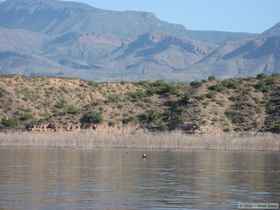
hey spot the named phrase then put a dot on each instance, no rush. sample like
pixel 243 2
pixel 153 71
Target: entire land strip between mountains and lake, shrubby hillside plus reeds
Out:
pixel 37 108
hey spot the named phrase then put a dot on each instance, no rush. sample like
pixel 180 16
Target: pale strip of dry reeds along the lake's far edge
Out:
pixel 159 141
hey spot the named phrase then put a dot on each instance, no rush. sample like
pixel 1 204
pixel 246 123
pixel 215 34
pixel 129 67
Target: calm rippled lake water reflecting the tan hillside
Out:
pixel 38 178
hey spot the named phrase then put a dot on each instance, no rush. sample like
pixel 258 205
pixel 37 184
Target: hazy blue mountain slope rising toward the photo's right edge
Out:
pixel 244 57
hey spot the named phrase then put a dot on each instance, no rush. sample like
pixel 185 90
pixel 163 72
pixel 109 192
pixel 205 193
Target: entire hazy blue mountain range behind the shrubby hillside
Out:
pixel 61 38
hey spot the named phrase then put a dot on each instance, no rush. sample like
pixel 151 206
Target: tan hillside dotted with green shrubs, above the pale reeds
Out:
pixel 212 107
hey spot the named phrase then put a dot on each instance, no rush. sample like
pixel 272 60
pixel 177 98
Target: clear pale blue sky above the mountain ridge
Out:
pixel 253 16
